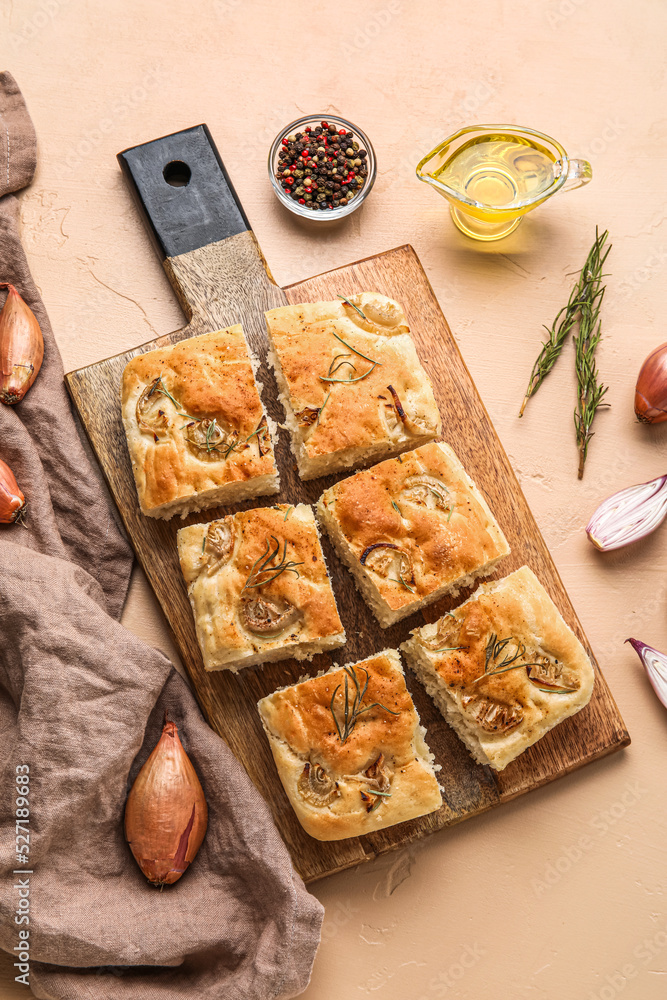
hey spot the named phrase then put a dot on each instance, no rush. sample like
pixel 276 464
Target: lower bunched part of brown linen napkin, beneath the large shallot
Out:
pixel 238 924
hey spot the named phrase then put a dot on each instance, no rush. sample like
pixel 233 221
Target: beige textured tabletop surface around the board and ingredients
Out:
pixel 559 895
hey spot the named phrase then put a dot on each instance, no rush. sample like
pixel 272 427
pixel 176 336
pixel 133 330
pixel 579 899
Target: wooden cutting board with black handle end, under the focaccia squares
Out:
pixel 220 277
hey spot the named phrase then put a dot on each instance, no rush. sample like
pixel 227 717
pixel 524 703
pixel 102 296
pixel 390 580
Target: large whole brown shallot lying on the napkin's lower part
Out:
pixel 166 813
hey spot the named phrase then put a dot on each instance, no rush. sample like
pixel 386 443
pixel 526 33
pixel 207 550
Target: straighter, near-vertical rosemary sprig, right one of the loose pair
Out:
pixel 590 390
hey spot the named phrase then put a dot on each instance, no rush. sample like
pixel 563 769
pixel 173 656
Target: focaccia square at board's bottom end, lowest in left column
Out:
pixel 347 773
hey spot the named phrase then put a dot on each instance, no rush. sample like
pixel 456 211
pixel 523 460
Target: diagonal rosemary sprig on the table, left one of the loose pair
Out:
pixel 583 294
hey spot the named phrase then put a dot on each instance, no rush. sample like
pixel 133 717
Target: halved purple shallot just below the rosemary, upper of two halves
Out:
pixel 629 515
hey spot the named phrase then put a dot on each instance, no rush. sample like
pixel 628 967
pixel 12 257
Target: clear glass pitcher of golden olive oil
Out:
pixel 492 175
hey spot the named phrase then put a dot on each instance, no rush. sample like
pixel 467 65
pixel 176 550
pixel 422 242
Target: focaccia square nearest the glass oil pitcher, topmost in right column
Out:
pixel 351 383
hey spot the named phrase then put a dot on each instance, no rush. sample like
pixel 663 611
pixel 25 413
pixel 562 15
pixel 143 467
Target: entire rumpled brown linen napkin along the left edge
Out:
pixel 81 703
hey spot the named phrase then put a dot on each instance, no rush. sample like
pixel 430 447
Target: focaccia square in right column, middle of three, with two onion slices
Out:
pixel 412 529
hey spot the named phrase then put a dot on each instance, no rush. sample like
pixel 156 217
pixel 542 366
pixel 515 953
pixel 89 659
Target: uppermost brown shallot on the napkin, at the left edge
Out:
pixel 21 347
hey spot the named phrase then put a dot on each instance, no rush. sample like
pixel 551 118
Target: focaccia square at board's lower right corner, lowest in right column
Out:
pixel 503 667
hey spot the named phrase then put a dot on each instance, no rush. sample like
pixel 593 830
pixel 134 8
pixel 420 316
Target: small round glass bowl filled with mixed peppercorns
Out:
pixel 322 168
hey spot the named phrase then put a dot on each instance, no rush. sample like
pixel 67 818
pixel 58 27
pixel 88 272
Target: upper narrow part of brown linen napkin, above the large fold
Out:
pixel 71 514
